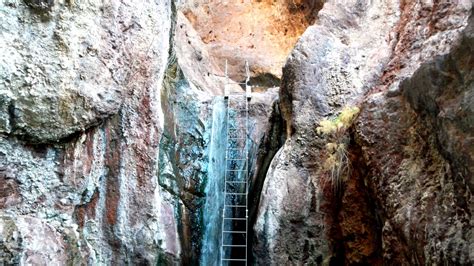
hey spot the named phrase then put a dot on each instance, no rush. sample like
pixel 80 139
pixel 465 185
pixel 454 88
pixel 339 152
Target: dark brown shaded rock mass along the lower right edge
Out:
pixel 419 153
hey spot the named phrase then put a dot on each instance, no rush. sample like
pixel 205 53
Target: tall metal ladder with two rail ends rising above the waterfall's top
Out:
pixel 235 209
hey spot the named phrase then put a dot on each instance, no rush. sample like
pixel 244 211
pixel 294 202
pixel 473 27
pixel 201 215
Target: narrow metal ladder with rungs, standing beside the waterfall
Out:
pixel 238 147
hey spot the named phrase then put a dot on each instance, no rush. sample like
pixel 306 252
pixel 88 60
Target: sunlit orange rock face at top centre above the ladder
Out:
pixel 261 32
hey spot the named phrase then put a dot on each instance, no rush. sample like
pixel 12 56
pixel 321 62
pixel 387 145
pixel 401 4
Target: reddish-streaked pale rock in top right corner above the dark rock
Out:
pixel 423 31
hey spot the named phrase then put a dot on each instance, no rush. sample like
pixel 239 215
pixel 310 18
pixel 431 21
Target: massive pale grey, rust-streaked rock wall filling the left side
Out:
pixel 86 108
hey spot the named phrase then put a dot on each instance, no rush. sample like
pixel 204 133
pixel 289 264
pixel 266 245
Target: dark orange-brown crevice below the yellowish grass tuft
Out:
pixel 354 228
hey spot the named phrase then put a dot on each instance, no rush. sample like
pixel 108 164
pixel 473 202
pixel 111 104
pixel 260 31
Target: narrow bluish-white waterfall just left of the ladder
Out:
pixel 212 217
